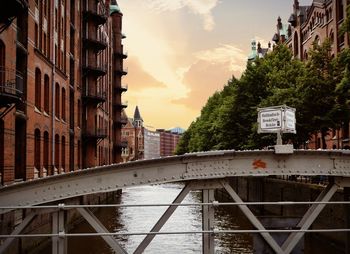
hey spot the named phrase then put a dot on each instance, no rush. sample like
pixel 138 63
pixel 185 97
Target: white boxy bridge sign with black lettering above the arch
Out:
pixel 277 119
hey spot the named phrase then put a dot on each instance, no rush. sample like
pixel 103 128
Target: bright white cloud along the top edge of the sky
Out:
pixel 202 8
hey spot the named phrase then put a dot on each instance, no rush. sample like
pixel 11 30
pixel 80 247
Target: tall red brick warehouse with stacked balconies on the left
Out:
pixel 61 66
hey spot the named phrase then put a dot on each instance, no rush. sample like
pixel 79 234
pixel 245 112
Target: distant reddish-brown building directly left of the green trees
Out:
pixel 168 141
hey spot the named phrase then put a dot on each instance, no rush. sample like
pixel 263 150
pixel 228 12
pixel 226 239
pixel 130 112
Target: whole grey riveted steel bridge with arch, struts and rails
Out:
pixel 204 171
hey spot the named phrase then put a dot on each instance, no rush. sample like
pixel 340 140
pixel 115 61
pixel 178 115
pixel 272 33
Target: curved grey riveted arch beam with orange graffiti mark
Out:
pixel 201 165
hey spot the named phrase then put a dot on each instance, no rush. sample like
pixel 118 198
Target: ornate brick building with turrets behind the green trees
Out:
pixel 314 23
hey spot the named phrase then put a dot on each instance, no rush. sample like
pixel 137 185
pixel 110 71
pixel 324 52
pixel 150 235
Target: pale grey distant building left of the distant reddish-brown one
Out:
pixel 151 144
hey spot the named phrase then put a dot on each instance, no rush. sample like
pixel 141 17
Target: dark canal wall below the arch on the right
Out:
pixel 265 189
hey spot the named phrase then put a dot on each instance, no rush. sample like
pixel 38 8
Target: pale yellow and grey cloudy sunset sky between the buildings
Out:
pixel 181 51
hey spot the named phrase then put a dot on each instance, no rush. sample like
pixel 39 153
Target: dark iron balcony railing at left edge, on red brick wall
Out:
pixel 11 82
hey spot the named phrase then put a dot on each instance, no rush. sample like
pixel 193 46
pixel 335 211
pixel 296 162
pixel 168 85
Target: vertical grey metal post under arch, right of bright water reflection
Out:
pixel 208 221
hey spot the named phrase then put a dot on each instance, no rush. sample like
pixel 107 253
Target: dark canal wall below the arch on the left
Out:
pixel 42 224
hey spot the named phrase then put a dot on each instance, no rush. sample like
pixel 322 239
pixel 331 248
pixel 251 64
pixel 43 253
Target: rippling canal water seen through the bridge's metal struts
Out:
pixel 142 219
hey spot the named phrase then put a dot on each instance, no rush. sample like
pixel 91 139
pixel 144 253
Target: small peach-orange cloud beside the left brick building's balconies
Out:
pixel 138 78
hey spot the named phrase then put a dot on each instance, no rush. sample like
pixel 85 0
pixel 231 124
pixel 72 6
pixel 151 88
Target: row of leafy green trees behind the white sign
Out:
pixel 318 89
